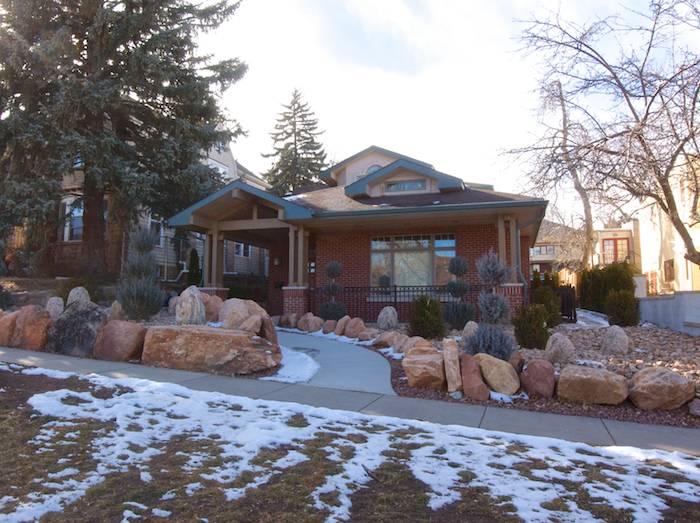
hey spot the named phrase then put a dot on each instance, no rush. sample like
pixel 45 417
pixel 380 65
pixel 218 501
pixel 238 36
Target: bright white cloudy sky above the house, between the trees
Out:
pixel 444 81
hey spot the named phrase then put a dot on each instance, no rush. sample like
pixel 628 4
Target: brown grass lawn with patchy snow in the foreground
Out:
pixel 101 449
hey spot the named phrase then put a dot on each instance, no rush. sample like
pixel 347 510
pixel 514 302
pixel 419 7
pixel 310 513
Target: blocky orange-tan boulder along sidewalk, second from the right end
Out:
pixel 591 385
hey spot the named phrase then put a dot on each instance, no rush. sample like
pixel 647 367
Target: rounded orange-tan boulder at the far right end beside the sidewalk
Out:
pixel 659 388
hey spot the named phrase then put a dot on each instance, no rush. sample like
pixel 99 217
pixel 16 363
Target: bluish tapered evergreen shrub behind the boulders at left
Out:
pixel 139 293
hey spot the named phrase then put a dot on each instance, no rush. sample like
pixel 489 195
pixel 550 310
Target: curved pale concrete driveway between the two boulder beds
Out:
pixel 343 365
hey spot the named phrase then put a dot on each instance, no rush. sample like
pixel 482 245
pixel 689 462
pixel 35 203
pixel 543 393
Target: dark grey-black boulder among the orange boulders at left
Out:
pixel 75 331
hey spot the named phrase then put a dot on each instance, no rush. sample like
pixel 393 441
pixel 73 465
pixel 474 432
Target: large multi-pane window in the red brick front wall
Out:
pixel 412 260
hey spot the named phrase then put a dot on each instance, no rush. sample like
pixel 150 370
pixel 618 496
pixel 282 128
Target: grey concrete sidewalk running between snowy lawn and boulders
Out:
pixel 594 431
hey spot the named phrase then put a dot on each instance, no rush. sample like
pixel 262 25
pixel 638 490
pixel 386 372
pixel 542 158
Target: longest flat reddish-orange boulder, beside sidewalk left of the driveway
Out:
pixel 208 349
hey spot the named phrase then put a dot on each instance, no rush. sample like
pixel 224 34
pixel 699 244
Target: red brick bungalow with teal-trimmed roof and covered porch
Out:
pixel 392 221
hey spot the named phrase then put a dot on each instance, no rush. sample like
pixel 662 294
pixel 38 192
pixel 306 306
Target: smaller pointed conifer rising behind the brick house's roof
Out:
pixel 299 156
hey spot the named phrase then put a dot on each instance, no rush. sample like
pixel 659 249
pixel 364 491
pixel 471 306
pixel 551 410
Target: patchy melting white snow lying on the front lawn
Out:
pixel 531 472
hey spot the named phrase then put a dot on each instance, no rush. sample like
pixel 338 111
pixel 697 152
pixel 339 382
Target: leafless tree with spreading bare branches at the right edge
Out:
pixel 633 89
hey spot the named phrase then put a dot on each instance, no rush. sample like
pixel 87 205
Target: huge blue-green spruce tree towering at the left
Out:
pixel 118 91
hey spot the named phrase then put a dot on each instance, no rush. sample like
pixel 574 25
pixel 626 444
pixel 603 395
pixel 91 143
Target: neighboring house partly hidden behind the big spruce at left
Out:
pixel 172 250
